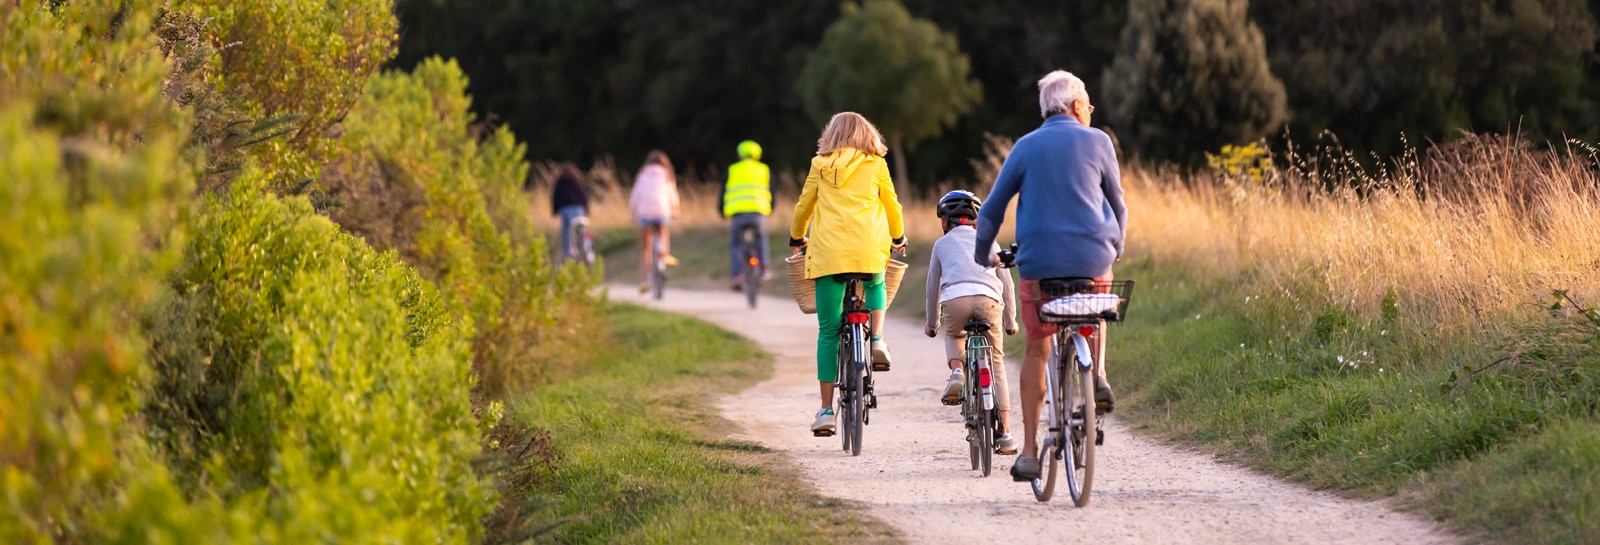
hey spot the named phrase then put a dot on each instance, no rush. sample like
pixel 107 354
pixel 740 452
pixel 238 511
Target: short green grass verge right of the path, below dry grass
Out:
pixel 1374 405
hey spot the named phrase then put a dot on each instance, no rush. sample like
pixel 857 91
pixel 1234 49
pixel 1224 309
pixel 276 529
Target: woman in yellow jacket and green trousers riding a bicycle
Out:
pixel 849 204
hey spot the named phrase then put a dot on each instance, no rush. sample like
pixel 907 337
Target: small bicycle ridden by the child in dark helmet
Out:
pixel 978 402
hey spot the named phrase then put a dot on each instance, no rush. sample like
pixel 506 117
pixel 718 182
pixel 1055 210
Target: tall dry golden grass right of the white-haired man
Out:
pixel 1470 231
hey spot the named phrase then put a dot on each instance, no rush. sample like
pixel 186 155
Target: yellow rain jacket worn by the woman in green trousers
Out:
pixel 849 204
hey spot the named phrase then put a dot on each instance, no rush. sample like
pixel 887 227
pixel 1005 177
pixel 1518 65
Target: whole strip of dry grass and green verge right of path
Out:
pixel 1426 333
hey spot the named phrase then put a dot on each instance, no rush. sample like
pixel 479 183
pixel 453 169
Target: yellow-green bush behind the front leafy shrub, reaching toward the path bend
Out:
pixel 417 180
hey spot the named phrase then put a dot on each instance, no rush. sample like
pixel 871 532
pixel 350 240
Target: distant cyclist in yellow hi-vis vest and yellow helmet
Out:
pixel 748 201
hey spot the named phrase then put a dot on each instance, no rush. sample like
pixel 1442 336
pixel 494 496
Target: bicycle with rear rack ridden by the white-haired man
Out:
pixel 1081 308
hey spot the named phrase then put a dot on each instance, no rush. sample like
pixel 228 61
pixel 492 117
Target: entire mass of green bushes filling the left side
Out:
pixel 255 290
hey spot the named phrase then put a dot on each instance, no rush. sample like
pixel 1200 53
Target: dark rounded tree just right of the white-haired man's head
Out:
pixel 1191 76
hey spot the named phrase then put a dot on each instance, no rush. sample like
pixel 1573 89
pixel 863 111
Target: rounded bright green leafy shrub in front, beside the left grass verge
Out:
pixel 306 376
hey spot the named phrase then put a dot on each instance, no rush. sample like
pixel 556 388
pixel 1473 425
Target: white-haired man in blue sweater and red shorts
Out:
pixel 1070 225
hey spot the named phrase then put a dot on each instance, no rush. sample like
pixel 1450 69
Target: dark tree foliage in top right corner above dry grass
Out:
pixel 1370 71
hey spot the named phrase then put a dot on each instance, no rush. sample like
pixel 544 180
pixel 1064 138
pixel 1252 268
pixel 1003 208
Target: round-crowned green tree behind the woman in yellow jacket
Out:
pixel 905 74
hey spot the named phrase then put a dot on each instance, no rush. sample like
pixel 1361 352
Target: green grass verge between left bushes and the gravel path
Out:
pixel 646 459
